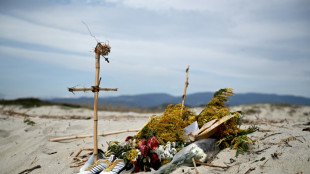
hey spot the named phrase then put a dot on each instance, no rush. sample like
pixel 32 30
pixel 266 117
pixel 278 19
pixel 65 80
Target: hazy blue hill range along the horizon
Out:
pixel 196 99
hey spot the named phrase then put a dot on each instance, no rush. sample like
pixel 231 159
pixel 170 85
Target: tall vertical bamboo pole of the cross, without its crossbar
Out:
pixel 95 106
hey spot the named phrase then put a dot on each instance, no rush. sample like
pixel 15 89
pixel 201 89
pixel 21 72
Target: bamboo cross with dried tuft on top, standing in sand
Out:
pixel 103 50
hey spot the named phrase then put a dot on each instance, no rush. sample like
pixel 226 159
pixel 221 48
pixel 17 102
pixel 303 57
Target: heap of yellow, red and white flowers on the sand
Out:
pixel 164 136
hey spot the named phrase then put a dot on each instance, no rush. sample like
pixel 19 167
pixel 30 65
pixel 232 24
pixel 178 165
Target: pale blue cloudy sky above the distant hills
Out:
pixel 251 46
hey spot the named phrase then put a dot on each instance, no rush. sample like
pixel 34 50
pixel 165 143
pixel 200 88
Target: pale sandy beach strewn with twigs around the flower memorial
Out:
pixel 282 145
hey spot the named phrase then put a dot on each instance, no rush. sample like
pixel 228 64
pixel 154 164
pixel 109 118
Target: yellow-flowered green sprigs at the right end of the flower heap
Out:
pixel 229 134
